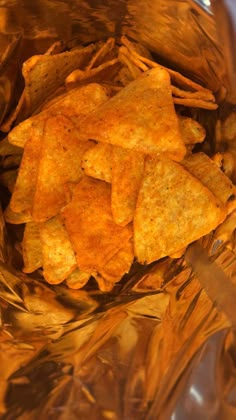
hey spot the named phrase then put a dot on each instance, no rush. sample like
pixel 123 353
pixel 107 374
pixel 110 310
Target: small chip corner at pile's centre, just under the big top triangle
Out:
pixel 97 162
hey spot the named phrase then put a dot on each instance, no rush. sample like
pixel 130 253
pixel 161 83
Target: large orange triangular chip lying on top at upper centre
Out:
pixel 140 117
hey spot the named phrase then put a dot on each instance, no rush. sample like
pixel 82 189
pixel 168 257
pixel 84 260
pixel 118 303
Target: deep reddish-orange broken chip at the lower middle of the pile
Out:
pixel 95 237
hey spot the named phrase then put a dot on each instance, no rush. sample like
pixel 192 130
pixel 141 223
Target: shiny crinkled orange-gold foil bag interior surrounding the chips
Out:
pixel 161 344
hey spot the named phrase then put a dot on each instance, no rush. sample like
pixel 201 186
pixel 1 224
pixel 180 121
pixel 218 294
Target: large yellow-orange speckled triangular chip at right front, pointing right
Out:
pixel 173 209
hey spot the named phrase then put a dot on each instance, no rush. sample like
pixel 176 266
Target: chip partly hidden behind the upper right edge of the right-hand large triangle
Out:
pixel 205 169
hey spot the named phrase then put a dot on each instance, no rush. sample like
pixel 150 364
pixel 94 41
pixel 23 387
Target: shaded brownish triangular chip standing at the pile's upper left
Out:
pixel 43 74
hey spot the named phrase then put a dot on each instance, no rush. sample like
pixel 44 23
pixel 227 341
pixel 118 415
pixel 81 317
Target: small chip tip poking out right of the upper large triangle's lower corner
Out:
pixel 192 132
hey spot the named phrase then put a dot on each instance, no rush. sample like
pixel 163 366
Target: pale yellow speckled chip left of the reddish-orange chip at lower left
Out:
pixel 58 256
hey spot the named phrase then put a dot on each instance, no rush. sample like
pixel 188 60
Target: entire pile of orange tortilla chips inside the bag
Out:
pixel 107 174
